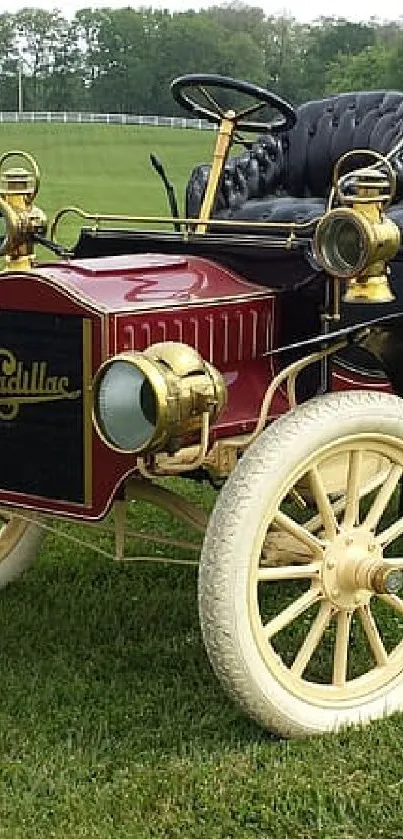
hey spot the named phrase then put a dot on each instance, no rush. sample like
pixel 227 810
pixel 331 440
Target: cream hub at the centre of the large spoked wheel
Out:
pixel 354 568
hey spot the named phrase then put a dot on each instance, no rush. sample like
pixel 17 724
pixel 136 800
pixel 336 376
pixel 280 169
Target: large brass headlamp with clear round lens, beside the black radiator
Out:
pixel 153 400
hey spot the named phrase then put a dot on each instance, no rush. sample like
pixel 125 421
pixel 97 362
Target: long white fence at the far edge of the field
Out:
pixel 106 119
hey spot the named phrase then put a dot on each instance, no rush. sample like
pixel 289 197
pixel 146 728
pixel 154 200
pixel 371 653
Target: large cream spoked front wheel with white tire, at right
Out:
pixel 301 565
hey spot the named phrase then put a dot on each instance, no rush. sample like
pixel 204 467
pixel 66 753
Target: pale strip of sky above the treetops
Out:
pixel 303 10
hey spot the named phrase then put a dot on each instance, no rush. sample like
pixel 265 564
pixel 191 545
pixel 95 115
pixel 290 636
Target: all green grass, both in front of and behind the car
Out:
pixel 111 722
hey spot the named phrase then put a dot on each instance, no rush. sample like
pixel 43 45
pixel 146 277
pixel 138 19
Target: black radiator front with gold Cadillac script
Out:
pixel 43 405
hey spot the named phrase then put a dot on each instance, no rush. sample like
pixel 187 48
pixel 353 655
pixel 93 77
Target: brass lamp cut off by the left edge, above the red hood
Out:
pixel 19 217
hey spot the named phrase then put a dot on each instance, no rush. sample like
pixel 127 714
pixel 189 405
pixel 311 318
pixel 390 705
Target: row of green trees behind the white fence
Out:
pixel 122 60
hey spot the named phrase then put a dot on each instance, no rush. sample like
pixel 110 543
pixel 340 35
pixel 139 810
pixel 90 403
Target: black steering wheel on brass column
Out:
pixel 182 86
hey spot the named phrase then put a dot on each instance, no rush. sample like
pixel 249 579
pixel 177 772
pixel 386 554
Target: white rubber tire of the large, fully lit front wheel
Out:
pixel 226 557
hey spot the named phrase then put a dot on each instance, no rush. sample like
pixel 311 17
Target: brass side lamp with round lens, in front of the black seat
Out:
pixel 355 242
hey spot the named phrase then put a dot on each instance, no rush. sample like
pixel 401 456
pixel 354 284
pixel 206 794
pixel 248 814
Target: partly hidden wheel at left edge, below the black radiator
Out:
pixel 19 545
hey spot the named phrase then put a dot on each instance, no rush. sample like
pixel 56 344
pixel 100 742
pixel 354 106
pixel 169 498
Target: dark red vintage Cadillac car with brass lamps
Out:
pixel 253 342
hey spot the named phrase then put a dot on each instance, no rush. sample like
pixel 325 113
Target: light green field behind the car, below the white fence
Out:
pixel 106 168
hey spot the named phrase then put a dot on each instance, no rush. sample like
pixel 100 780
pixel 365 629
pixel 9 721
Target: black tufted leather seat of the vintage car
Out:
pixel 287 177
